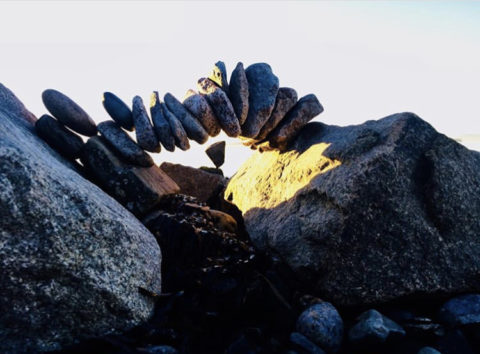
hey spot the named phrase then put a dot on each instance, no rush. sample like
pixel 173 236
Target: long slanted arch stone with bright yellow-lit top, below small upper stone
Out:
pixel 221 105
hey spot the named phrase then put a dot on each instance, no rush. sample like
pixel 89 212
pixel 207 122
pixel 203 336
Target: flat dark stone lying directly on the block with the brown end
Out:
pixel 124 145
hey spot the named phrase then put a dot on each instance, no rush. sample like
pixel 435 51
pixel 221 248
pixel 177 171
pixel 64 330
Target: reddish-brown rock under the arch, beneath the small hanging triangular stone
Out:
pixel 195 182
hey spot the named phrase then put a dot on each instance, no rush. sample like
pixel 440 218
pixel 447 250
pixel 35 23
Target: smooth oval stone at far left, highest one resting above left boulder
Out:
pixel 68 112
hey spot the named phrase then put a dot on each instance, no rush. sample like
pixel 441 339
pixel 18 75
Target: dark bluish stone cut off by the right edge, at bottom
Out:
pixel 460 311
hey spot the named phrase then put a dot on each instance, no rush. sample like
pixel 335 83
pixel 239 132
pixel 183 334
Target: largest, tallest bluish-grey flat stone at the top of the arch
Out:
pixel 262 92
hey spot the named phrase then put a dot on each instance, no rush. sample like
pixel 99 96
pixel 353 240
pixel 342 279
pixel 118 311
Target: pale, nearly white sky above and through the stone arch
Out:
pixel 362 59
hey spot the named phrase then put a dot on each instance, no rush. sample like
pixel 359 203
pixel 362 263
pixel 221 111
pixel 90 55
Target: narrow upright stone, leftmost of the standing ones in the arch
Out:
pixel 146 137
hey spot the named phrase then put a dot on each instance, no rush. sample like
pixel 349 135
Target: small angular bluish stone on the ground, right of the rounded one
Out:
pixel 373 327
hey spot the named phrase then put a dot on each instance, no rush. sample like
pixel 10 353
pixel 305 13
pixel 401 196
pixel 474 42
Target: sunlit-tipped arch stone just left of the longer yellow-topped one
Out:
pixel 199 107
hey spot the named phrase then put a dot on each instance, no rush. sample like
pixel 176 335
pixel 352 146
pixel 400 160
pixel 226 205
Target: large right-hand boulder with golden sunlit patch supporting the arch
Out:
pixel 368 213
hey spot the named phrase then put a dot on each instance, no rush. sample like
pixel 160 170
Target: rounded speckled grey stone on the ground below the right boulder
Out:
pixel 322 324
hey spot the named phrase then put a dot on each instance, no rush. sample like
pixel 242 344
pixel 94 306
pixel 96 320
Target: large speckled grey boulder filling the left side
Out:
pixel 74 263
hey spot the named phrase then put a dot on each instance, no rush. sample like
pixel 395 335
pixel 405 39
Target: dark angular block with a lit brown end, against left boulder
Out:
pixel 139 189
